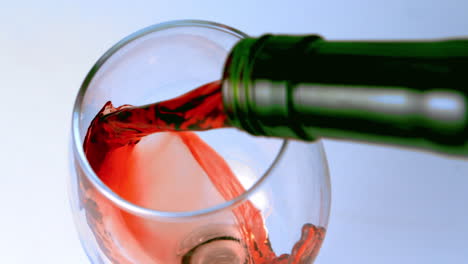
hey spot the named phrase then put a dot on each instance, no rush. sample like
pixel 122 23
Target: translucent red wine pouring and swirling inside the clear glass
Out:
pixel 118 139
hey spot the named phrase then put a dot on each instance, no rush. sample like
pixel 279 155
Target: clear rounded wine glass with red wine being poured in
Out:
pixel 280 216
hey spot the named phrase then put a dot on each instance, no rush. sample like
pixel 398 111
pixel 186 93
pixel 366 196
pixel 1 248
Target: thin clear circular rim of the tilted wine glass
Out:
pixel 102 188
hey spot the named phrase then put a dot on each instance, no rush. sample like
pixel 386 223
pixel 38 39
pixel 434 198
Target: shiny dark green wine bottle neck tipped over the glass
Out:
pixel 408 93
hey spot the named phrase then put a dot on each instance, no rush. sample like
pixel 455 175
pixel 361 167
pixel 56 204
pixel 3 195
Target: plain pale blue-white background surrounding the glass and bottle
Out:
pixel 389 205
